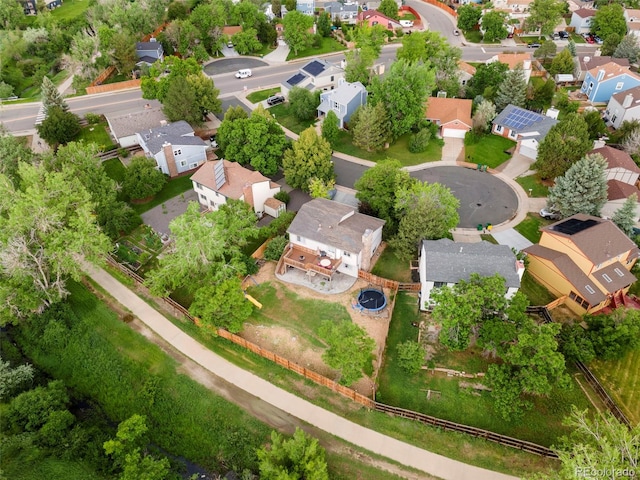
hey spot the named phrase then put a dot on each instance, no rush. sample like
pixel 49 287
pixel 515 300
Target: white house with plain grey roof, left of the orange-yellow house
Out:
pixel 445 263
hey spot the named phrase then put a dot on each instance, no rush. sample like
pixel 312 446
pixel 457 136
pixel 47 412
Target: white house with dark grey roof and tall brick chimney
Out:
pixel 174 147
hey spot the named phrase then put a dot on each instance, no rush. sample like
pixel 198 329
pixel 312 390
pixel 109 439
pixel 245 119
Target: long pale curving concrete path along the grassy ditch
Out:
pixel 375 442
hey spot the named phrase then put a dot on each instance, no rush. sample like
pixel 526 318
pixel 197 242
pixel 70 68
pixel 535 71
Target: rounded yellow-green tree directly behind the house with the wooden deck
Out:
pixel 309 157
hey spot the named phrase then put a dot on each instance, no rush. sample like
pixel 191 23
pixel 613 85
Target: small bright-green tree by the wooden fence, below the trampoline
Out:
pixel 350 349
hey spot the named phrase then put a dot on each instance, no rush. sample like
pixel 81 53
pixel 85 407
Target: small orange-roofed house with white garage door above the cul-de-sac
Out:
pixel 452 115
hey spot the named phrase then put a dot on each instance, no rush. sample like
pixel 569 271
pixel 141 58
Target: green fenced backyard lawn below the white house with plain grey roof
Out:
pixel 459 402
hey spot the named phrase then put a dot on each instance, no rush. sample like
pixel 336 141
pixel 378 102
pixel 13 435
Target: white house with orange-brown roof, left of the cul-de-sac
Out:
pixel 217 181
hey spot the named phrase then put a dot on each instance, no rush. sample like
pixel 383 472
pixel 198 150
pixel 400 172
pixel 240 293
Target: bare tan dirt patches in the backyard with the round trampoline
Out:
pixel 281 341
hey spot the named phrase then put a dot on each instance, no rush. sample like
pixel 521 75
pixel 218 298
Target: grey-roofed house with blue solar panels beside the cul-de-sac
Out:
pixel 525 127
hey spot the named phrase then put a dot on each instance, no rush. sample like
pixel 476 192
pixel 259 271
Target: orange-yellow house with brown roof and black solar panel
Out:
pixel 586 262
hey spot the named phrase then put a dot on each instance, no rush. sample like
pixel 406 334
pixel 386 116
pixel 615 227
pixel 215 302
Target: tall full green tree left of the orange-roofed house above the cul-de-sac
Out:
pixel 404 91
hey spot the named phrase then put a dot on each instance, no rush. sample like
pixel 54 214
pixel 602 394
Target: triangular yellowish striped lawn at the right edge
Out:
pixel 621 378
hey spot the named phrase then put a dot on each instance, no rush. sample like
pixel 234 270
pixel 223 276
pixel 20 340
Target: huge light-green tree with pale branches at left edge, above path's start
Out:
pixel 47 227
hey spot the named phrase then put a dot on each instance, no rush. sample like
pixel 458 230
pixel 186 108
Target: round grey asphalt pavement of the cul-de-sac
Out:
pixel 484 198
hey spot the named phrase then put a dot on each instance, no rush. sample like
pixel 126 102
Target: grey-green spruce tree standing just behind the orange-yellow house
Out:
pixel 583 189
